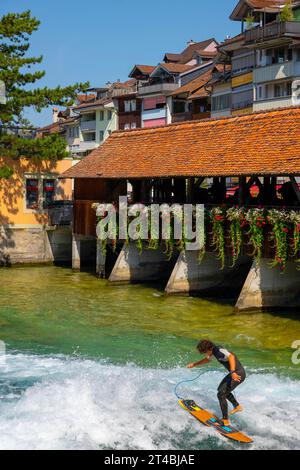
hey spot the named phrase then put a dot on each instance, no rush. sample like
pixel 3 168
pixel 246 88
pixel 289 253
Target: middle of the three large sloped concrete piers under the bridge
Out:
pixel 191 276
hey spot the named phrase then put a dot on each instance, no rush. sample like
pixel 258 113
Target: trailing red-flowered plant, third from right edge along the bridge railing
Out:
pixel 257 222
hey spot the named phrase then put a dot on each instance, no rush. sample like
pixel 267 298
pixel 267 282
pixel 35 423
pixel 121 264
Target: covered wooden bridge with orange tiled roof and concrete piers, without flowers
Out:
pixel 247 161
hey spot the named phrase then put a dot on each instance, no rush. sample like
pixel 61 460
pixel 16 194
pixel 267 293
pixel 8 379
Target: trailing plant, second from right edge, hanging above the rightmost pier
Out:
pixel 280 222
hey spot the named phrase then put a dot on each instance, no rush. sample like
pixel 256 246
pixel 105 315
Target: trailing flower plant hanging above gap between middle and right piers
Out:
pixel 236 217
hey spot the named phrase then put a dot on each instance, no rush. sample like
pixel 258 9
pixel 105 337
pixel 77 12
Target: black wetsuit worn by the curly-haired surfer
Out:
pixel 228 384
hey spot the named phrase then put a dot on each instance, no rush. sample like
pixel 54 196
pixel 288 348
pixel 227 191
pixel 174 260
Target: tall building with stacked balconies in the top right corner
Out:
pixel 264 58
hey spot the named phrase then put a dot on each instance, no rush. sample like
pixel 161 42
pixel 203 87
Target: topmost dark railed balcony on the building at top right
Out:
pixel 272 31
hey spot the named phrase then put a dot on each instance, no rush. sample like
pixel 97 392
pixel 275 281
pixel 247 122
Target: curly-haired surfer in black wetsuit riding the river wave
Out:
pixel 236 376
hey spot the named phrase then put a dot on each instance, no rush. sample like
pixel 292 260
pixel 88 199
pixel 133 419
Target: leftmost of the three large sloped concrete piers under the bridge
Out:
pixel 148 266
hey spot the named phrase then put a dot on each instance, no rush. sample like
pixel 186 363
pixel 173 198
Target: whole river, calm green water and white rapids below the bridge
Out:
pixel 93 366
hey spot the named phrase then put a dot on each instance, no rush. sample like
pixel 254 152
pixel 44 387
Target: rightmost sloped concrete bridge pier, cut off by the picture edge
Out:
pixel 267 287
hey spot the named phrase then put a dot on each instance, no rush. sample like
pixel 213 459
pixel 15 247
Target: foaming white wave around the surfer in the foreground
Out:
pixel 62 403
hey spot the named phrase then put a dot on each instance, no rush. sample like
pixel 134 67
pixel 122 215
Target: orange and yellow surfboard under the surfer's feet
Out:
pixel 208 419
